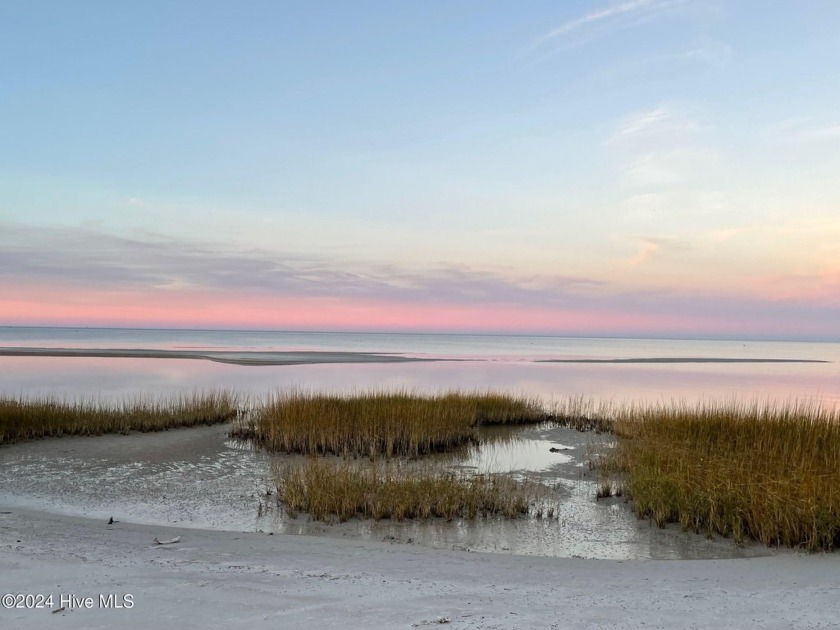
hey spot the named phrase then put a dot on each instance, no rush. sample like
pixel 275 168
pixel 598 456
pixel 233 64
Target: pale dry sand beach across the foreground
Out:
pixel 230 580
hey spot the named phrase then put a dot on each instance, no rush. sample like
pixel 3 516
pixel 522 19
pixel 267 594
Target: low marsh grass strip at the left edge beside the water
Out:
pixel 32 418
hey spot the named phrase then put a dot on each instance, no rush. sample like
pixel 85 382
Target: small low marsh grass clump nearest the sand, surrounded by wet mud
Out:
pixel 329 490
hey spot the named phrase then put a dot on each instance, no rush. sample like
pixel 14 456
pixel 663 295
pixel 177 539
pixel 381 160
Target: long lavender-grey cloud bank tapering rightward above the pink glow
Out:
pixel 92 259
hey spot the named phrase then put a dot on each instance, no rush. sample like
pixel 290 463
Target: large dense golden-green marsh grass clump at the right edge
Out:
pixel 761 471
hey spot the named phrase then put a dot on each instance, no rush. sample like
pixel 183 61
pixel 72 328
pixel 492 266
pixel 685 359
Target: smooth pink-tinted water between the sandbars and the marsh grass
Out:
pixel 115 378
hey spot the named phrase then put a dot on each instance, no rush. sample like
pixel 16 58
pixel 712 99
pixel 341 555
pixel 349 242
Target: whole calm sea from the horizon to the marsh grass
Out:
pixel 511 363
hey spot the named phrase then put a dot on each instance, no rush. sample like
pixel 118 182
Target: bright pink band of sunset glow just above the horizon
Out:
pixel 196 308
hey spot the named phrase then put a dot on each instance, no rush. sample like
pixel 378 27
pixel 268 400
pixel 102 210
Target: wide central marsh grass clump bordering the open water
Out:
pixel 379 423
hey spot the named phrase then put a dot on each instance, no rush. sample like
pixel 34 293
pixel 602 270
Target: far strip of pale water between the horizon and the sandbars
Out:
pixel 492 347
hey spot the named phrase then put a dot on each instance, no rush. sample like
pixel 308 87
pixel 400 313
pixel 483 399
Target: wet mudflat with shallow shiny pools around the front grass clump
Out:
pixel 200 478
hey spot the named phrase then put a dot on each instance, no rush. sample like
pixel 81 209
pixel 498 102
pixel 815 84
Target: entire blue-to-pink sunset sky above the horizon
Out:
pixel 665 168
